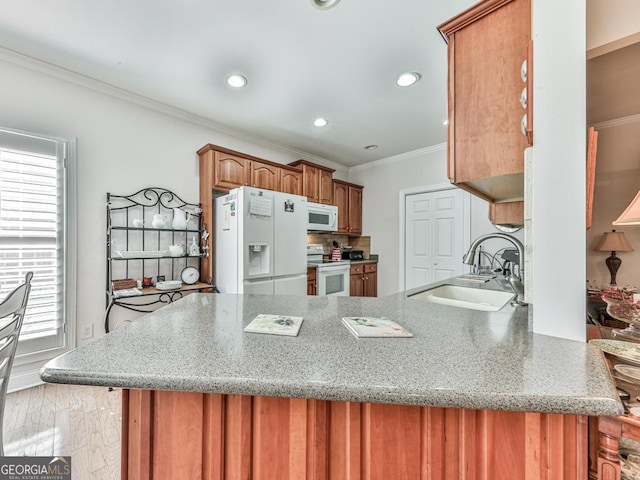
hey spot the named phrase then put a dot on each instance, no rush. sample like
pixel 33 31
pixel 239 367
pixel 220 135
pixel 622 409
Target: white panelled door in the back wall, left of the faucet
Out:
pixel 434 242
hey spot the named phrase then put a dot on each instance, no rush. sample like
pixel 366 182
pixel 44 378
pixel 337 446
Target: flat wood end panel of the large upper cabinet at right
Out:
pixel 488 54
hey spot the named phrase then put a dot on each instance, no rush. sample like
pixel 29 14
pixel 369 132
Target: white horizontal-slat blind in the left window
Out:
pixel 32 219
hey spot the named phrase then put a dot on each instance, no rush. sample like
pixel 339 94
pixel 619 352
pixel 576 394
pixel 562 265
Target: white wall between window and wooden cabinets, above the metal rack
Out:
pixel 121 148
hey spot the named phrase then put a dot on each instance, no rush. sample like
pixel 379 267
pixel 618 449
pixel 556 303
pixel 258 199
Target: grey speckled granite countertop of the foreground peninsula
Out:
pixel 457 357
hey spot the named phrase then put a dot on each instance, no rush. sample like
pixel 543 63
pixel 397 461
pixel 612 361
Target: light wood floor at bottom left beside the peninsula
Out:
pixel 80 421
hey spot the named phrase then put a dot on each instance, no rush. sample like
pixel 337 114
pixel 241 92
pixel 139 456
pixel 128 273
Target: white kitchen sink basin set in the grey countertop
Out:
pixel 466 297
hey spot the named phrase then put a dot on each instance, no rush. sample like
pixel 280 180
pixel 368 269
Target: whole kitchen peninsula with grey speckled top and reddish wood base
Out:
pixel 472 392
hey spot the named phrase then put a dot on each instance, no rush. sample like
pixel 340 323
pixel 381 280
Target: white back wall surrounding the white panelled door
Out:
pixel 382 181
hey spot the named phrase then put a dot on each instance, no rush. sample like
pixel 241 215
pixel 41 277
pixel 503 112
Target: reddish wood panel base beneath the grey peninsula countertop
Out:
pixel 186 435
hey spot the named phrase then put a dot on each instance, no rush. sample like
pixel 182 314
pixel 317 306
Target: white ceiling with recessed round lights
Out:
pixel 301 63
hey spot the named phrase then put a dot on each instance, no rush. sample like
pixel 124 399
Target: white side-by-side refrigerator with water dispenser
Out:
pixel 260 242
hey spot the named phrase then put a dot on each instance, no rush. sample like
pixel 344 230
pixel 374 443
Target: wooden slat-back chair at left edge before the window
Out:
pixel 12 311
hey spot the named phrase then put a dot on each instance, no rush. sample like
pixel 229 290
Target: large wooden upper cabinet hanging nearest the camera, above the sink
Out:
pixel 487 45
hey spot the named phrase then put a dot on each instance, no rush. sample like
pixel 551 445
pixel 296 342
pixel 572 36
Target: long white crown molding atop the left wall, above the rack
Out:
pixel 17 58
